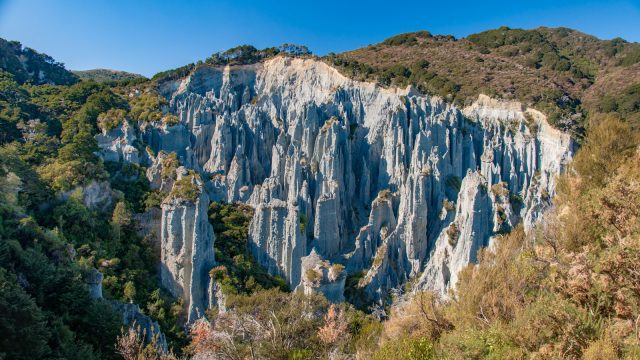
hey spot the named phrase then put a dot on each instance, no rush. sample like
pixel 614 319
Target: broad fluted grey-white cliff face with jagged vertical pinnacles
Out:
pixel 371 178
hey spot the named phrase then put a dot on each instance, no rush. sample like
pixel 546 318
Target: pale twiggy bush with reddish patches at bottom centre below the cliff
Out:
pixel 270 324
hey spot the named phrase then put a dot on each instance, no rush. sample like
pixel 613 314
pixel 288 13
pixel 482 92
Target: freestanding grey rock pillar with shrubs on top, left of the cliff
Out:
pixel 187 244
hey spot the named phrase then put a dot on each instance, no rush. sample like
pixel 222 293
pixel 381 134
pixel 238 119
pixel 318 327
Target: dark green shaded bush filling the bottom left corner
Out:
pixel 47 309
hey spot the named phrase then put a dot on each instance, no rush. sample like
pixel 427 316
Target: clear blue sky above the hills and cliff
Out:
pixel 145 36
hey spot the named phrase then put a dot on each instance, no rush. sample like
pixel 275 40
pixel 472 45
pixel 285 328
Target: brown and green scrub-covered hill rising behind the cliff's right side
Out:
pixel 562 72
